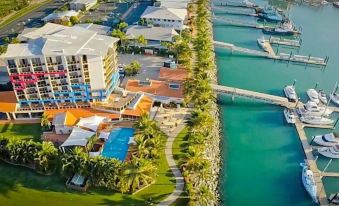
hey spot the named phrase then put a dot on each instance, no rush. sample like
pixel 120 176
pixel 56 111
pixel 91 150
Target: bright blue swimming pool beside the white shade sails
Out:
pixel 116 145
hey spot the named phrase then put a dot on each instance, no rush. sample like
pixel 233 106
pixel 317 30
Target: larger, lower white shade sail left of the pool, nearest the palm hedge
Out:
pixel 78 137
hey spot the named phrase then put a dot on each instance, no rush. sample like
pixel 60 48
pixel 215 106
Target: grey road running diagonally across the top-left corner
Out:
pixel 30 20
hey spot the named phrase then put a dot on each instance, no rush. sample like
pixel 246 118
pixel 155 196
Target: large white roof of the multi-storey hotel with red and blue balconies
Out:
pixel 54 39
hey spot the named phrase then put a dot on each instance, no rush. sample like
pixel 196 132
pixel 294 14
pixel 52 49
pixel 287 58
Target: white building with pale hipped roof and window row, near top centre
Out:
pixel 165 17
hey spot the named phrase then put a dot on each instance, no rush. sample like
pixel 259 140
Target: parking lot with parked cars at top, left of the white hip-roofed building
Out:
pixel 108 13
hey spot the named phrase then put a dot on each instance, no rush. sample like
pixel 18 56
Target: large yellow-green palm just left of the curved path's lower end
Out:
pixel 136 174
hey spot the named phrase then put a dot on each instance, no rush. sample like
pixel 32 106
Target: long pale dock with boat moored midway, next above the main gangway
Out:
pixel 272 55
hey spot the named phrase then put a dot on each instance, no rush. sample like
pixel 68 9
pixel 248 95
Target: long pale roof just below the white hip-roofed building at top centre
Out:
pixel 151 33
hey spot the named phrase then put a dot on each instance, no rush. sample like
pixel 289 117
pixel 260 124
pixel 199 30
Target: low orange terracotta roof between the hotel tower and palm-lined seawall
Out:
pixel 159 88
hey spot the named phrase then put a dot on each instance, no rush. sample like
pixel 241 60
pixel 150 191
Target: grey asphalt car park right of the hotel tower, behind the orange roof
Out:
pixel 150 66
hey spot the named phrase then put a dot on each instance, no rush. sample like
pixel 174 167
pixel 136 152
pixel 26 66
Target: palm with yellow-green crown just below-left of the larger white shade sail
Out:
pixel 47 157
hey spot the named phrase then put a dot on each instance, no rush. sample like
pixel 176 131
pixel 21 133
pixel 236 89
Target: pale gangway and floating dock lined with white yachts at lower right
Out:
pixel 282 101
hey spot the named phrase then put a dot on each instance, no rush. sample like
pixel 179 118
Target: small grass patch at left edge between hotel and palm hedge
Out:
pixel 22 131
